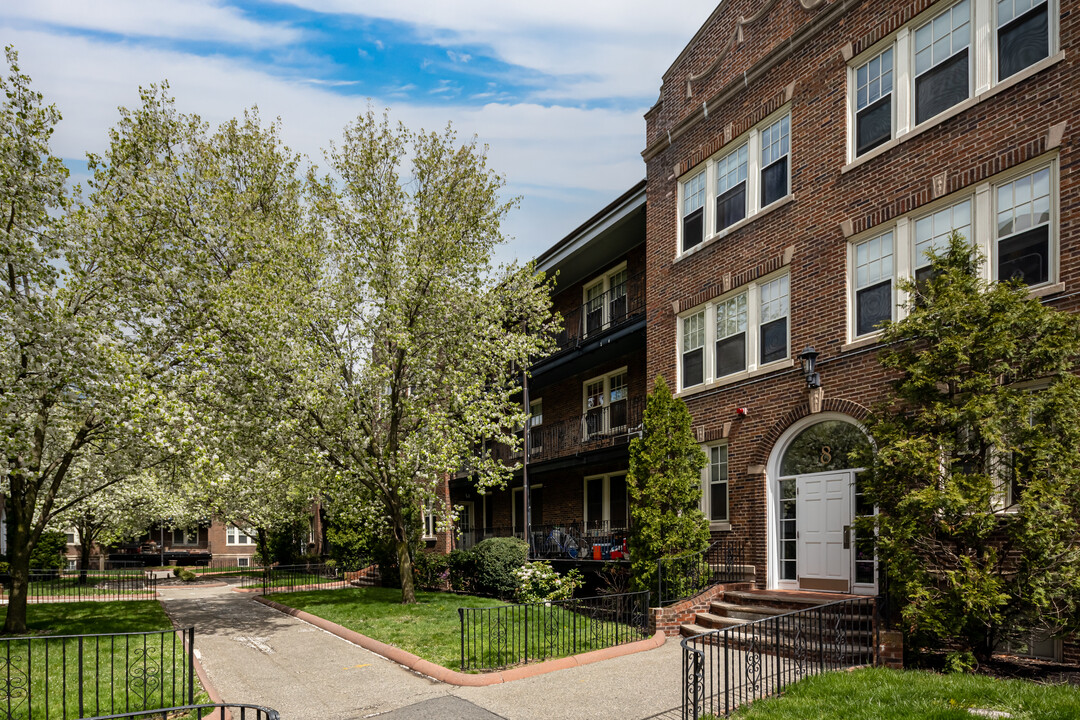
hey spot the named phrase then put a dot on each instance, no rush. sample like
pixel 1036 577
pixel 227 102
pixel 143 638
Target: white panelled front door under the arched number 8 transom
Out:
pixel 823 512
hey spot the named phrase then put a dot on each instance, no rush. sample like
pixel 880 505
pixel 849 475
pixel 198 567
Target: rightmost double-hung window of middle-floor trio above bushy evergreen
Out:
pixel 1023 228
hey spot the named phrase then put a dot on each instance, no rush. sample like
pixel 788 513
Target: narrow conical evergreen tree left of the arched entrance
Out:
pixel 665 487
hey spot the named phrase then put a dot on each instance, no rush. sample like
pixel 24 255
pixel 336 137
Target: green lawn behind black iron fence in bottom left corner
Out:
pixel 116 674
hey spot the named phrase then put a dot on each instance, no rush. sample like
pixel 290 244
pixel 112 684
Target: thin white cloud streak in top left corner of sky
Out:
pixel 192 20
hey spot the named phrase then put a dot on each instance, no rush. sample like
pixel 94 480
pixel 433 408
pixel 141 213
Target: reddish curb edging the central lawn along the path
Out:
pixel 464 680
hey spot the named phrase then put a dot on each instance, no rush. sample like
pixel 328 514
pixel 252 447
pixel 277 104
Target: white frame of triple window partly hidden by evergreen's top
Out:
pixel 983 235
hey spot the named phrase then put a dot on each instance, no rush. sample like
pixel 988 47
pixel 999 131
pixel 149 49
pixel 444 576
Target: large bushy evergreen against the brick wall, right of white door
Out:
pixel 977 476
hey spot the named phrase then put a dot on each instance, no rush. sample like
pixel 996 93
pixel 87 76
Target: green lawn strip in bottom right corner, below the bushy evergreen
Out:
pixel 882 695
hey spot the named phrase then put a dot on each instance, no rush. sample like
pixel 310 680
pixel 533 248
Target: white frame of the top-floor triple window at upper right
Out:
pixel 982 67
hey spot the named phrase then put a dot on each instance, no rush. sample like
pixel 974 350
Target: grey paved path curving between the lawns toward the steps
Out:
pixel 255 655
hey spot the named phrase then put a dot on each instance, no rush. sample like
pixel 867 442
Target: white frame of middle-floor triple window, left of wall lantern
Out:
pixel 753 292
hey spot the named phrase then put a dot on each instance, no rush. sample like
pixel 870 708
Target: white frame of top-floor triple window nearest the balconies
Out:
pixel 752 140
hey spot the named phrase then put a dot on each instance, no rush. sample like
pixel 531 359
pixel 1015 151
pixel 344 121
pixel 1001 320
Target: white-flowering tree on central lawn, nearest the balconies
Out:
pixel 390 346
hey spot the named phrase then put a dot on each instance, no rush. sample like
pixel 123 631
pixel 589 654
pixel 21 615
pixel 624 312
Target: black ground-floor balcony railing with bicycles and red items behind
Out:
pixel 565 541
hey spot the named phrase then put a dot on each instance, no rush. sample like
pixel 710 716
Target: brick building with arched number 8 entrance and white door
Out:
pixel 802 158
